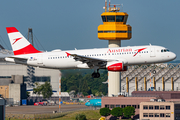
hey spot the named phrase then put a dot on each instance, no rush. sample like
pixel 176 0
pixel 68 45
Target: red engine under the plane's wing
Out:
pixel 117 67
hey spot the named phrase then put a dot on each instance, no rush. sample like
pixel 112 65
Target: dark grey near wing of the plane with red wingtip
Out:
pixel 91 62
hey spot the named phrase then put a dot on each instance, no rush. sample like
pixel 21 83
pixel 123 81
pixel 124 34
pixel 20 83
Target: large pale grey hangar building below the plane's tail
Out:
pixel 40 75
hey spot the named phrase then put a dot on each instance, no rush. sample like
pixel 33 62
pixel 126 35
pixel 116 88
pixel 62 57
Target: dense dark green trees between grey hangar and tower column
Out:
pixel 82 81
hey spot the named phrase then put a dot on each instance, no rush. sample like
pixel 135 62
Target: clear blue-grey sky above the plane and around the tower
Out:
pixel 70 24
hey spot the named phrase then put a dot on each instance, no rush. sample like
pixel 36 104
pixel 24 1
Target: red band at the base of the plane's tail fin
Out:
pixel 26 50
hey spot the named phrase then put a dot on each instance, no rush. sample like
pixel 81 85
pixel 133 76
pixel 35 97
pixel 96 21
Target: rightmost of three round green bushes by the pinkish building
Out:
pixel 129 111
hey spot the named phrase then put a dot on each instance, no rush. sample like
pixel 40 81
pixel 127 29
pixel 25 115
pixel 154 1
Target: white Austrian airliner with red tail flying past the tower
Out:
pixel 112 59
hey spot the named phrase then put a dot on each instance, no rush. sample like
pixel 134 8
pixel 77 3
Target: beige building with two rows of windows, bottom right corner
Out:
pixel 154 110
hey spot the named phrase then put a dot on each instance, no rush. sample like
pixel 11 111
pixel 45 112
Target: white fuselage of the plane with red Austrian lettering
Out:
pixel 128 55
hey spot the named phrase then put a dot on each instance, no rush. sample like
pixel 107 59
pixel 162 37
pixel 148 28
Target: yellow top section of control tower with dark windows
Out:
pixel 114 26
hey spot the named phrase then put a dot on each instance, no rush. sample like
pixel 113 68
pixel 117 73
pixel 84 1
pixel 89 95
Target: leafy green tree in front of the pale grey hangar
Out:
pixel 44 89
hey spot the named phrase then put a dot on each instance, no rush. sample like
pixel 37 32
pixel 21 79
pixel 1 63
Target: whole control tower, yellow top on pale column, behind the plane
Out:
pixel 114 29
